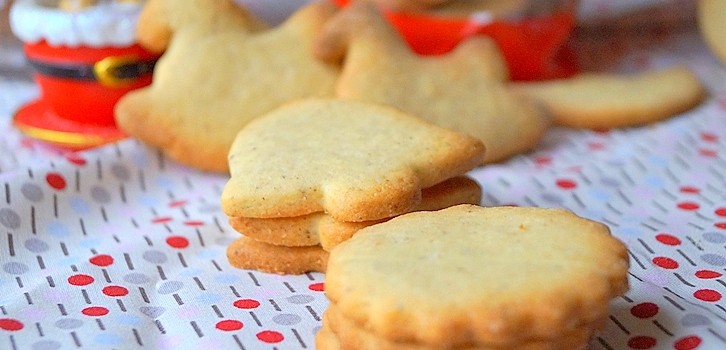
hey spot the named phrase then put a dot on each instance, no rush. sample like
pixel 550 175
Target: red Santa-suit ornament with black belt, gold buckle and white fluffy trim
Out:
pixel 85 57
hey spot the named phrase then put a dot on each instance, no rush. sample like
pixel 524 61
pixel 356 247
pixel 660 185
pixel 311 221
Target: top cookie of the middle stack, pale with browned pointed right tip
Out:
pixel 355 161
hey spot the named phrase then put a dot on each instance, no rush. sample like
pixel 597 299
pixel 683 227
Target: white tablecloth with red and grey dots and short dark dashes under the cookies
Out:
pixel 120 247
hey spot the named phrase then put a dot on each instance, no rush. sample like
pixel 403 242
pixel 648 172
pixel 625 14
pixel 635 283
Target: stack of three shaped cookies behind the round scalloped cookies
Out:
pixel 310 174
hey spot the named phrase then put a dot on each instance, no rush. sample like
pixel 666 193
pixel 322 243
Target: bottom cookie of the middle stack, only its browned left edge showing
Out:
pixel 248 254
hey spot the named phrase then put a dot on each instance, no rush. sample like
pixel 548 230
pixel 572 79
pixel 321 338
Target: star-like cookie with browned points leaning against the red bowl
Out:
pixel 464 90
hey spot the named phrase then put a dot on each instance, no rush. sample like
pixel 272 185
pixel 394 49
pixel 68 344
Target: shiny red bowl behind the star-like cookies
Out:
pixel 535 47
